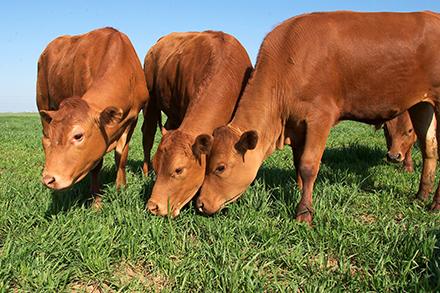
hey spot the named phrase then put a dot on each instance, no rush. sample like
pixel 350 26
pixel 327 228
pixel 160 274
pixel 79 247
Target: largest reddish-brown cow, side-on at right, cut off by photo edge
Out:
pixel 315 70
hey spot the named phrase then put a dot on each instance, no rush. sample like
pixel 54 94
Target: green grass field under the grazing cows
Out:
pixel 368 235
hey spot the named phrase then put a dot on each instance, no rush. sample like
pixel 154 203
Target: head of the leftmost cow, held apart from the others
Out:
pixel 74 140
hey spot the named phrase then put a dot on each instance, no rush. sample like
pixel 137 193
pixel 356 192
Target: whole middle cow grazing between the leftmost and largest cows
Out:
pixel 195 78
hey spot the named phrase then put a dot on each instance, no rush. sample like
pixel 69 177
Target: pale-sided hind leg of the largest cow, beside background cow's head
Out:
pixel 422 117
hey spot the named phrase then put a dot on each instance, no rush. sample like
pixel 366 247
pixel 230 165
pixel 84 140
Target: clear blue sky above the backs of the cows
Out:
pixel 26 27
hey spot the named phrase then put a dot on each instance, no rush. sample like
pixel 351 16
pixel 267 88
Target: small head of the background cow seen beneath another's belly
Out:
pixel 400 137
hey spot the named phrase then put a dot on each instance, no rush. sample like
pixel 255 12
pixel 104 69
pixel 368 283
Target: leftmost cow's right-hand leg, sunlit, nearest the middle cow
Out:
pixel 121 155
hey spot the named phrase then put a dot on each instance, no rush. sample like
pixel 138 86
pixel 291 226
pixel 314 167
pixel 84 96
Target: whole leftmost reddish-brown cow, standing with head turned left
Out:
pixel 90 90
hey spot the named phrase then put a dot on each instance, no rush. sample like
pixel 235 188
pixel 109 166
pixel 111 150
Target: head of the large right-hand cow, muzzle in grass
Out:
pixel 232 166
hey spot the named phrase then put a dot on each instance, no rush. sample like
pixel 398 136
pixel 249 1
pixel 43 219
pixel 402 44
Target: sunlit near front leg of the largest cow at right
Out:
pixel 315 138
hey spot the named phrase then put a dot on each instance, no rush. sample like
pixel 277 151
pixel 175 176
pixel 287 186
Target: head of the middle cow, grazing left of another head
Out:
pixel 179 164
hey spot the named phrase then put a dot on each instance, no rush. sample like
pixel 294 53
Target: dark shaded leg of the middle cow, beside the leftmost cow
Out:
pixel 151 117
